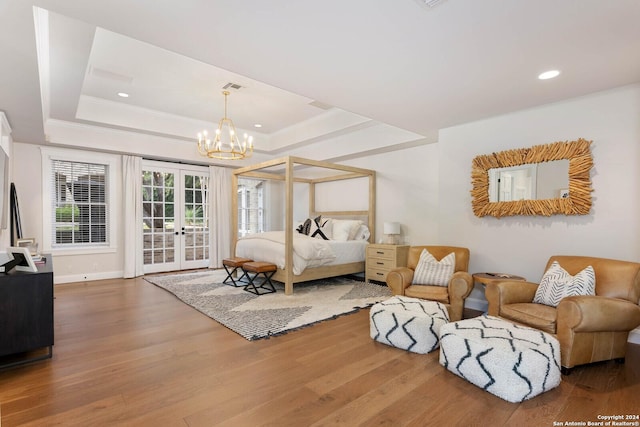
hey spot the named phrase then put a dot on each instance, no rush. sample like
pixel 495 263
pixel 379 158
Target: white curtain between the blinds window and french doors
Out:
pixel 132 201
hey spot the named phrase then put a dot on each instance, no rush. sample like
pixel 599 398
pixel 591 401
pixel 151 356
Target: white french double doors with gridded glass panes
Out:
pixel 175 223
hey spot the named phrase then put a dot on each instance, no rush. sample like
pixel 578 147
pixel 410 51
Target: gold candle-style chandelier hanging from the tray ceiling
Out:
pixel 225 145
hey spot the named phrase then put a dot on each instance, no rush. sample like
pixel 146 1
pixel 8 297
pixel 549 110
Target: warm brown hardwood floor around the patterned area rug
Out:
pixel 129 353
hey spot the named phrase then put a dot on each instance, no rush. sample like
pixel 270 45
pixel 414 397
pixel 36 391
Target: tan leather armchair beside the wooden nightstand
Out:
pixel 452 296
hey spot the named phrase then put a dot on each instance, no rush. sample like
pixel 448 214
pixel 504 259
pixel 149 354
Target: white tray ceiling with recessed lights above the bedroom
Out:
pixel 312 72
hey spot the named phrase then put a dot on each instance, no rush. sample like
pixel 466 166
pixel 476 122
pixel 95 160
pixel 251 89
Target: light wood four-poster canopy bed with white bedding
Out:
pixel 300 257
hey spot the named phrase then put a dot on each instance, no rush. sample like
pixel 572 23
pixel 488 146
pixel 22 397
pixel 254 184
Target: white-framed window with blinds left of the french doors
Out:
pixel 78 203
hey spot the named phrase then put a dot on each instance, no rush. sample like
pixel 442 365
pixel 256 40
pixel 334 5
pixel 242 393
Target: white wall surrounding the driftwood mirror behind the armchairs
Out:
pixel 522 244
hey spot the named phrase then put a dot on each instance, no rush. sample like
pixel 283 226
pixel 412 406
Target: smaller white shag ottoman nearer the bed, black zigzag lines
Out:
pixel 408 323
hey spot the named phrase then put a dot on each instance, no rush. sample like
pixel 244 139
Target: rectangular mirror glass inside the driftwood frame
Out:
pixel 535 181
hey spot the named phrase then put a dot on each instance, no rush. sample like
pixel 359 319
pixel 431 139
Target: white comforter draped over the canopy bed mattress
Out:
pixel 307 251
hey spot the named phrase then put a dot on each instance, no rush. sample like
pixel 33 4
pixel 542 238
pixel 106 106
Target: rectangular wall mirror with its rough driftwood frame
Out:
pixel 517 169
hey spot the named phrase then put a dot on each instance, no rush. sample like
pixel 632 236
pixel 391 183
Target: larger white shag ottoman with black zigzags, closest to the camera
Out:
pixel 510 361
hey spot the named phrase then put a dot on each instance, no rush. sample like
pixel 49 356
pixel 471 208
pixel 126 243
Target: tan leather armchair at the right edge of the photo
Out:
pixel 589 328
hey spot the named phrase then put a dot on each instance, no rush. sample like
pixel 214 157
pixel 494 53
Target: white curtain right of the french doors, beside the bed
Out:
pixel 219 215
